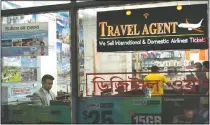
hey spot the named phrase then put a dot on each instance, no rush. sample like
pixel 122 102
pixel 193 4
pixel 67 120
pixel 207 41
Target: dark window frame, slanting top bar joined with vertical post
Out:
pixel 73 8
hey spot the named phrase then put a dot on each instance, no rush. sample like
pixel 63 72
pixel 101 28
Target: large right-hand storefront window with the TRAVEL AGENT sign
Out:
pixel 111 75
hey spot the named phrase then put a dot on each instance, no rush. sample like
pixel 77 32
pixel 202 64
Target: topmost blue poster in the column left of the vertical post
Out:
pixel 62 27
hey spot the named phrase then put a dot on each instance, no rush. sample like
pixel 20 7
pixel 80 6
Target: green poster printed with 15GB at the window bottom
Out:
pixel 142 110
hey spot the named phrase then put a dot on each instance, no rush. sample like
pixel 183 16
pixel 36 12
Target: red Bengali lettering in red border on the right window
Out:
pixel 118 84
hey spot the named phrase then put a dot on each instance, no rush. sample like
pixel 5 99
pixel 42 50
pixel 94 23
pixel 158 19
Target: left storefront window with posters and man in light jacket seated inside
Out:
pixel 36 53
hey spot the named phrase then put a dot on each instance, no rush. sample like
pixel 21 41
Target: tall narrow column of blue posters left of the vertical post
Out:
pixel 63 47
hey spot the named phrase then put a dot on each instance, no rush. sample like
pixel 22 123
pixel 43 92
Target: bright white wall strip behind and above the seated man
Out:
pixel 48 64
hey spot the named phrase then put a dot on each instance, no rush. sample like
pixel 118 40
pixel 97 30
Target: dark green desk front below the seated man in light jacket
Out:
pixel 59 111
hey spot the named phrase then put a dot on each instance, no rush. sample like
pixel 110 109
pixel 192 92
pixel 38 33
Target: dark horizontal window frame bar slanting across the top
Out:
pixel 66 7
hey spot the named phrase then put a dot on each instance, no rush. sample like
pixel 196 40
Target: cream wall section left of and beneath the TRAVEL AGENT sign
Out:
pixel 101 62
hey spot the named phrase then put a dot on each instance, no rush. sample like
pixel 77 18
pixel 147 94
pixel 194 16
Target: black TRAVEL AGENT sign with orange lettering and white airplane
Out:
pixel 153 29
